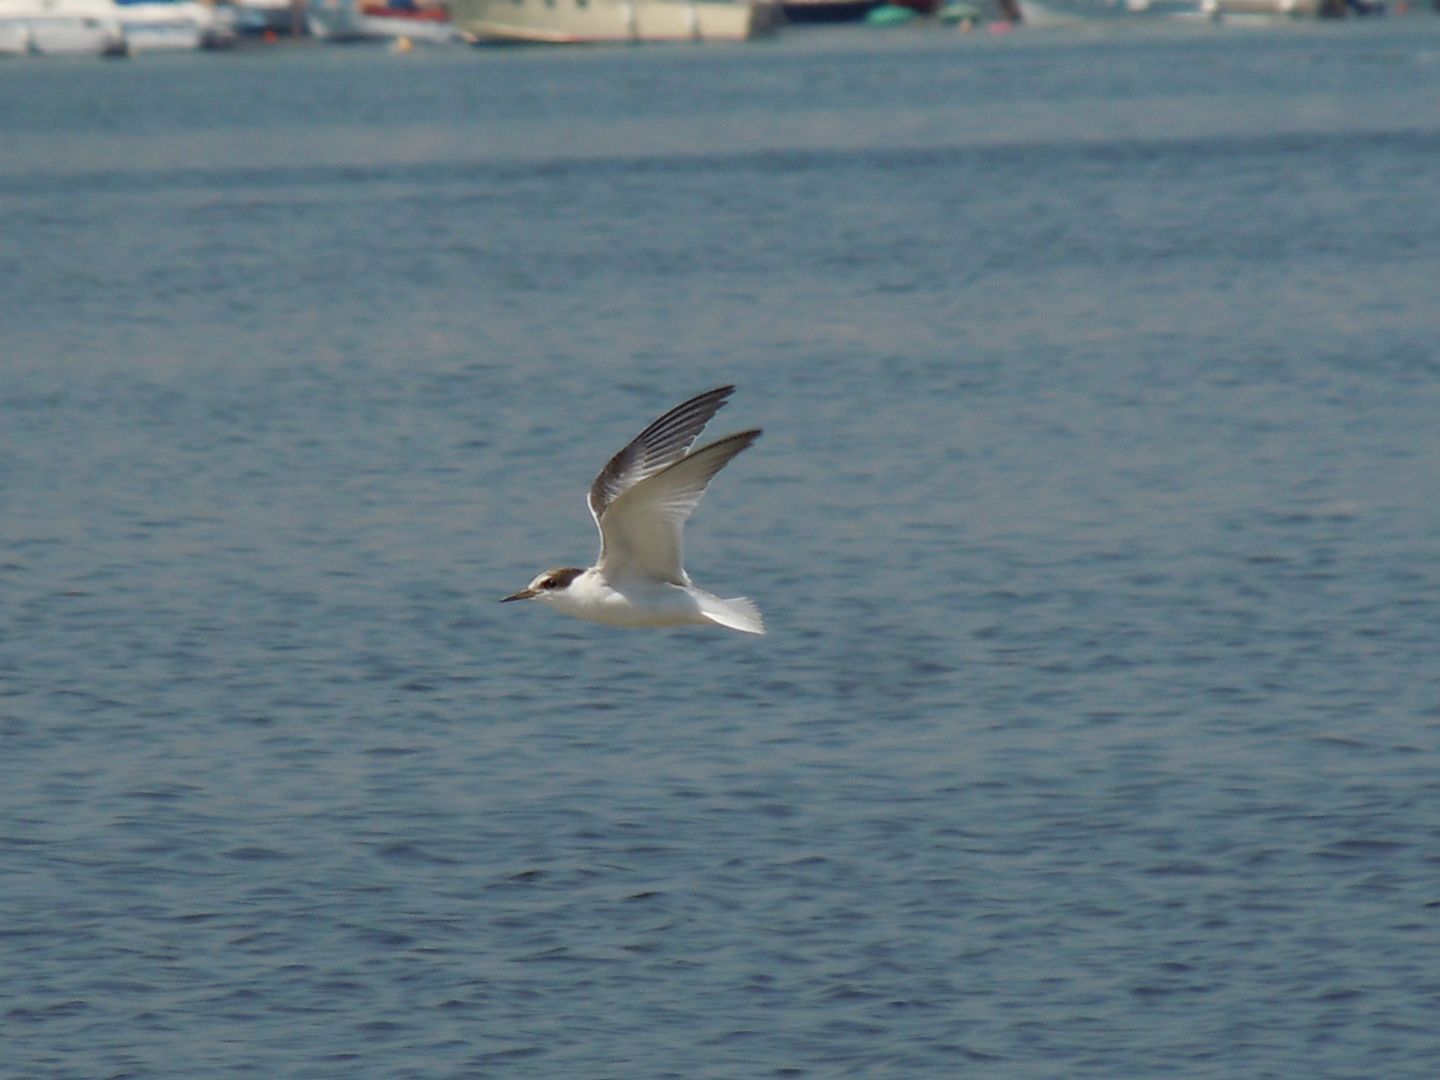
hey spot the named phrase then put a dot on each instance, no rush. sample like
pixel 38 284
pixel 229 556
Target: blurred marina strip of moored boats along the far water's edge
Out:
pixel 123 28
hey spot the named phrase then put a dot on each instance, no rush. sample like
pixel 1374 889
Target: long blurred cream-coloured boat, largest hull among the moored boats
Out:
pixel 614 21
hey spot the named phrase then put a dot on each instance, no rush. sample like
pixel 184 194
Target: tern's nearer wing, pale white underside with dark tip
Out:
pixel 642 528
